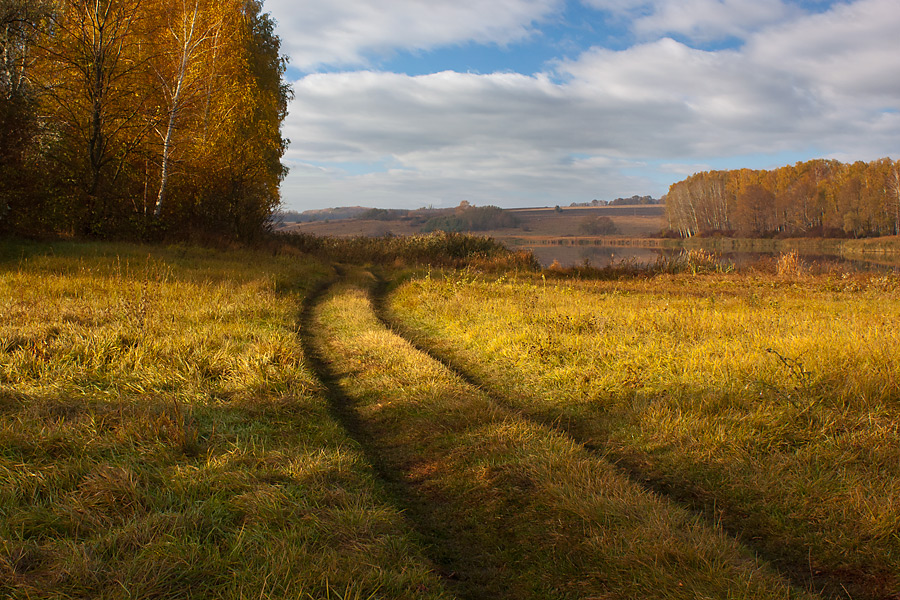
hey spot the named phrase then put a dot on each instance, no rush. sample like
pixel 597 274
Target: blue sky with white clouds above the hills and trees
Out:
pixel 412 103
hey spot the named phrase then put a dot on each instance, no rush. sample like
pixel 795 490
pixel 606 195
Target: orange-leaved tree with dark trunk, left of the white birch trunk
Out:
pixel 99 96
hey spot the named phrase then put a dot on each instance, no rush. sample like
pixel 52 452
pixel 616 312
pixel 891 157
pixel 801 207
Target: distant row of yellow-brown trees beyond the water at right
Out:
pixel 816 198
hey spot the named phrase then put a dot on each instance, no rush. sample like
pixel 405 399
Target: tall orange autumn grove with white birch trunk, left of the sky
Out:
pixel 139 117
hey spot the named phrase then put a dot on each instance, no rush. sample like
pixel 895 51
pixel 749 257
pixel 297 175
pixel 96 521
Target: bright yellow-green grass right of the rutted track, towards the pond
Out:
pixel 769 401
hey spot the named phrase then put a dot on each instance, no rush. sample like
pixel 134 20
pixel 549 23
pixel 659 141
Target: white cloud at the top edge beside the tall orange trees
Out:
pixel 344 32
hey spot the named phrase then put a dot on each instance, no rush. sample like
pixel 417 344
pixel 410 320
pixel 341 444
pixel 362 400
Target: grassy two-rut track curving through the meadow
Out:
pixel 508 507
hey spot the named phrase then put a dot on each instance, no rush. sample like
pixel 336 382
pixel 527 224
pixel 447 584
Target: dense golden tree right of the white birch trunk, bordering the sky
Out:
pixel 231 181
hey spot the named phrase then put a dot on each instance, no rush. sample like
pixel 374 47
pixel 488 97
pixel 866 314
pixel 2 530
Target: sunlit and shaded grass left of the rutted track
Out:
pixel 162 435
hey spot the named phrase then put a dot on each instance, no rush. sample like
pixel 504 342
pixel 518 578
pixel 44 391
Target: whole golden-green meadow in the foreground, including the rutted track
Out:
pixel 186 423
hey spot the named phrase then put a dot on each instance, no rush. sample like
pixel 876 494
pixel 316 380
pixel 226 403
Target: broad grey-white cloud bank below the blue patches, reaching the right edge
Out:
pixel 588 128
